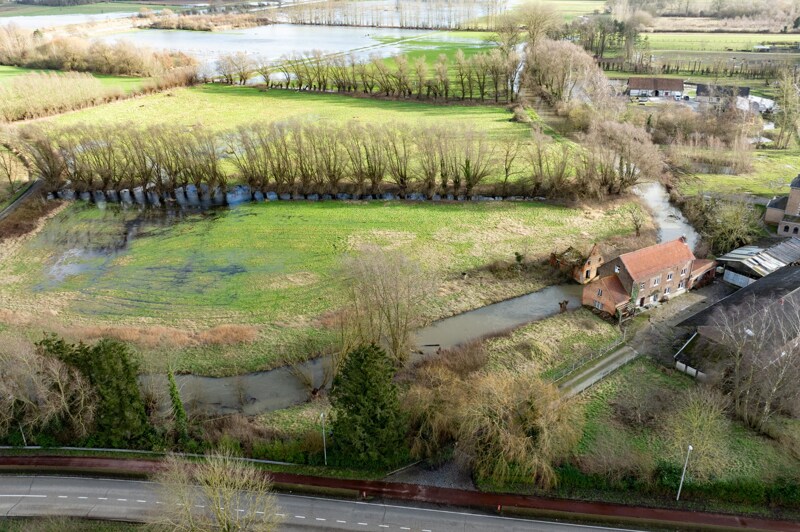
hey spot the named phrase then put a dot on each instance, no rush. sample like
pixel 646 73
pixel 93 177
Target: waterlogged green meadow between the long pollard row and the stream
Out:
pixel 270 268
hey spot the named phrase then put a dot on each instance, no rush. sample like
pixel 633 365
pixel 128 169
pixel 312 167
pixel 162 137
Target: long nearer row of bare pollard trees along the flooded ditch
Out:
pixel 325 158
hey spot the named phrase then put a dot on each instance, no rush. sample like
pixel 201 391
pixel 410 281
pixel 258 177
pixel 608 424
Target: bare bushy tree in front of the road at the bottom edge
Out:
pixel 217 493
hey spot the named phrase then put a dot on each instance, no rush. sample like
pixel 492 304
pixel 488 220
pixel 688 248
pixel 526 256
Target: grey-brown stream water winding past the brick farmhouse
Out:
pixel 264 391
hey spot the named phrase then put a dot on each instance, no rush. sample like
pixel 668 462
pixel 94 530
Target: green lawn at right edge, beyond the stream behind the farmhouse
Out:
pixel 773 170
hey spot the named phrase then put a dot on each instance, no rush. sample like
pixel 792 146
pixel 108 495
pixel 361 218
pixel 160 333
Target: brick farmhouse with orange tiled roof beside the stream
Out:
pixel 647 276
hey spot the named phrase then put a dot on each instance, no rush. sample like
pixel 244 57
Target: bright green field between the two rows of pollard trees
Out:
pixel 223 108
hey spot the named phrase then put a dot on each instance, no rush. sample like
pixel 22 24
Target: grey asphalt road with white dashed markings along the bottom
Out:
pixel 24 496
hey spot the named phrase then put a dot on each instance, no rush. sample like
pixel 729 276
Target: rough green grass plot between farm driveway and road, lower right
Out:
pixel 747 456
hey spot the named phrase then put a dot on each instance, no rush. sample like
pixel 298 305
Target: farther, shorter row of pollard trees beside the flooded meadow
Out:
pixel 486 76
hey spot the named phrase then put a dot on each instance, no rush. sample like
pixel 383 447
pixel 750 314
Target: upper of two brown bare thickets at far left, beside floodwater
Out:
pixel 24 48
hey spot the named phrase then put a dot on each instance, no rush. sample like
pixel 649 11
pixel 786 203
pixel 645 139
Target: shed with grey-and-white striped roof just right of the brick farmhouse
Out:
pixel 745 265
